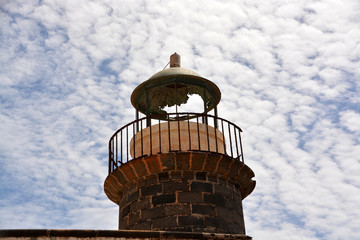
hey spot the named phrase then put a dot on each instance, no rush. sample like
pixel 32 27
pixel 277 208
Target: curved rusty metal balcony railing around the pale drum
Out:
pixel 181 133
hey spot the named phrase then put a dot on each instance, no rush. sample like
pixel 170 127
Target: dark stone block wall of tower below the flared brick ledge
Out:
pixel 192 206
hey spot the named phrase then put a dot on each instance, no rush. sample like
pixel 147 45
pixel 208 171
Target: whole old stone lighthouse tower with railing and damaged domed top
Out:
pixel 174 170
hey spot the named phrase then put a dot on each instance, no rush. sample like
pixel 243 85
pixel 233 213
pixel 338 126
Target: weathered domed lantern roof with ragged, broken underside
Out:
pixel 173 86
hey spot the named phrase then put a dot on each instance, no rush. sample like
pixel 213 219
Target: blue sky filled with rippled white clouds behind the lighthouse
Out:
pixel 289 74
